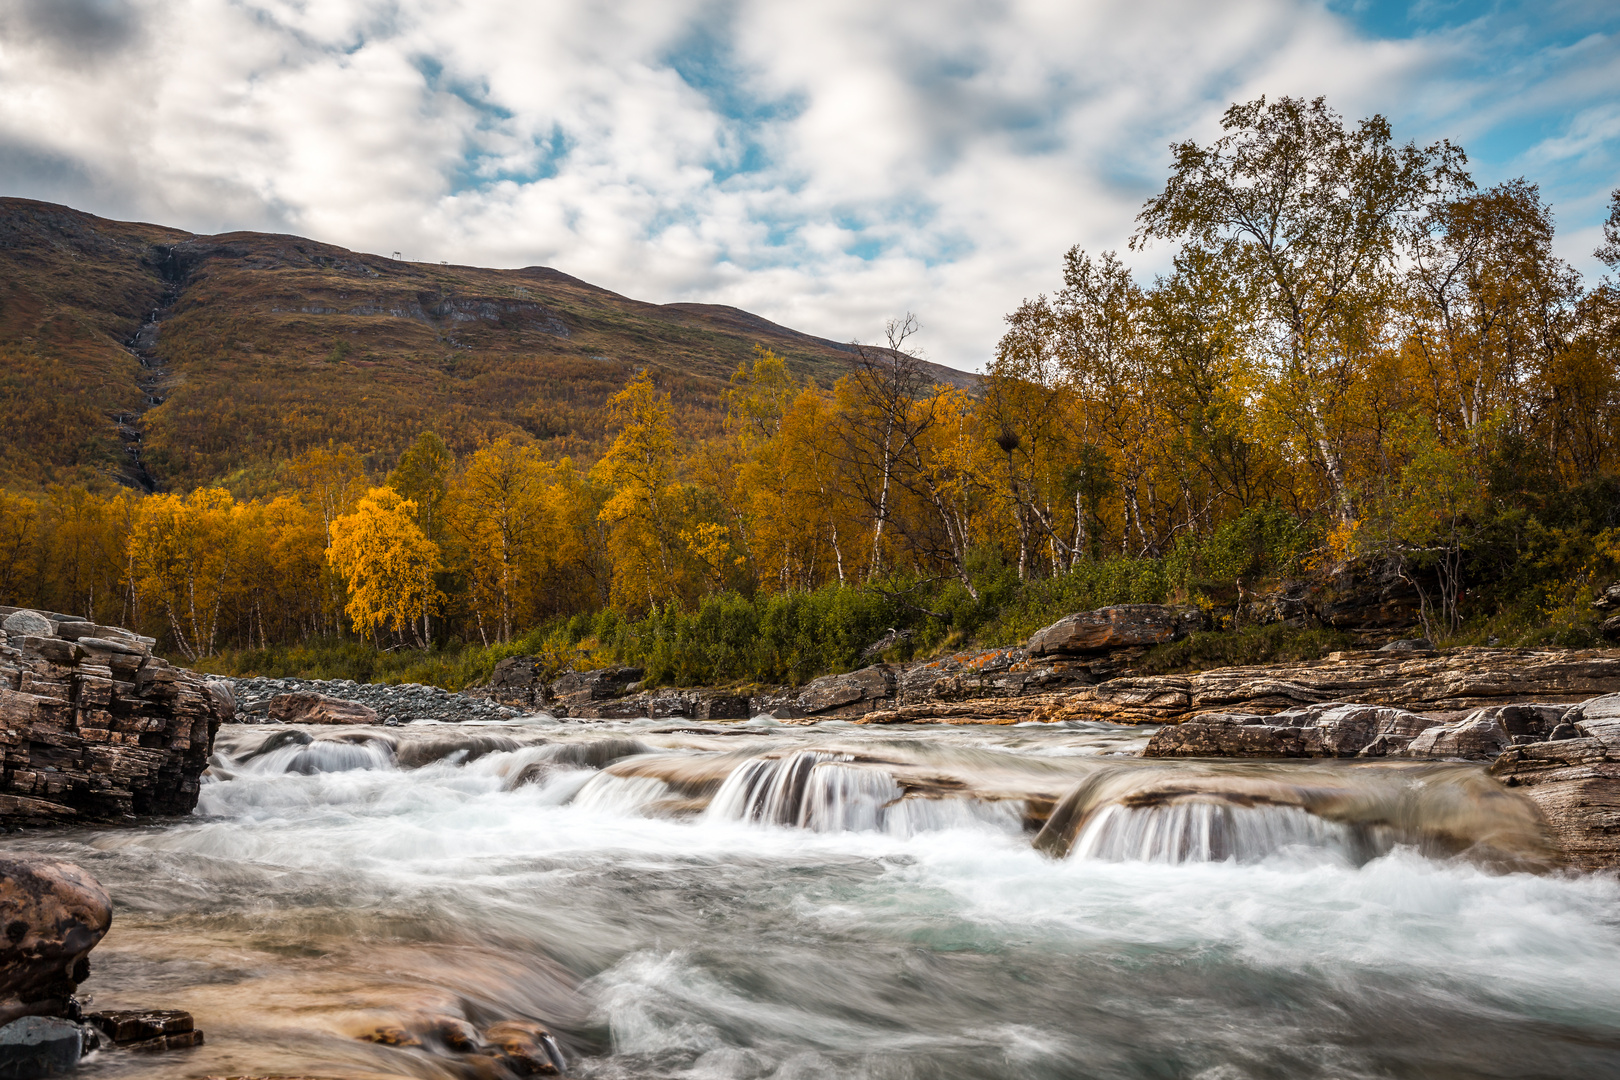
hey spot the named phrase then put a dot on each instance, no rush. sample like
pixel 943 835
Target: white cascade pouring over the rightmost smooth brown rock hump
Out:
pixel 1211 833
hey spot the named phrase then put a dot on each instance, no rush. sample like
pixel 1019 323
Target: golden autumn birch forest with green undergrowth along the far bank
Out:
pixel 1357 357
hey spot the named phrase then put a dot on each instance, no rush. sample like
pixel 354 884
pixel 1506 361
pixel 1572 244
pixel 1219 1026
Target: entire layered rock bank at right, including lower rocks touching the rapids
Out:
pixel 1543 718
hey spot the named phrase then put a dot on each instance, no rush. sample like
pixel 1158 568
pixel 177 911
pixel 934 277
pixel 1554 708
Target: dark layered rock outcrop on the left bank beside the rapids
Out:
pixel 95 728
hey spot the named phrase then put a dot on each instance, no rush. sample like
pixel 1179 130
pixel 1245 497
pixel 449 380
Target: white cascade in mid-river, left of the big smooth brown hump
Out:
pixel 825 793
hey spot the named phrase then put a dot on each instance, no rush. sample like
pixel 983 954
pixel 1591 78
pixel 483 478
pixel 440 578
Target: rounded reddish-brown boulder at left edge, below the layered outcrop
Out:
pixel 53 916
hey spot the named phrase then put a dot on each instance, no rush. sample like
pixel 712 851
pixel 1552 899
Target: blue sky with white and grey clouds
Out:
pixel 827 164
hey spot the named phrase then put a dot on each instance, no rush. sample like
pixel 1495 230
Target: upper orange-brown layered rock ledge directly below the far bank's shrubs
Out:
pixel 1081 673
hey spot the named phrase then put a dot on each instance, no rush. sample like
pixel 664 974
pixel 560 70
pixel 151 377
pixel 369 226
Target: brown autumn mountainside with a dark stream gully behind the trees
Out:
pixel 168 360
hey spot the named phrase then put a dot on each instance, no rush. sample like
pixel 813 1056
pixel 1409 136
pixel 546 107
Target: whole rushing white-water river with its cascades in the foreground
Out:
pixel 795 903
